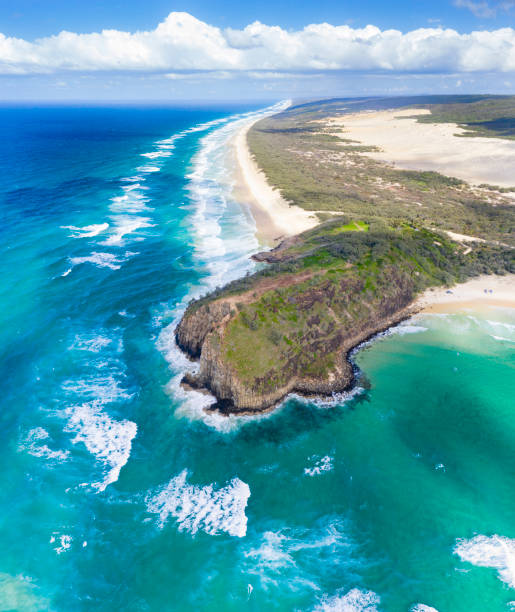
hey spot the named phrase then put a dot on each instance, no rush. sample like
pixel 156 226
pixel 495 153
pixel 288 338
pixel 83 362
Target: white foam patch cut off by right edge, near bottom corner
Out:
pixel 497 552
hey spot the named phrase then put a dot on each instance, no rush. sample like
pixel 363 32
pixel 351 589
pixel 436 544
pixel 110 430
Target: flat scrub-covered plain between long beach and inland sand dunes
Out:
pixel 327 174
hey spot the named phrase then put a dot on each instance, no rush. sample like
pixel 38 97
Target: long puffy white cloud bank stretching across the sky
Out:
pixel 183 44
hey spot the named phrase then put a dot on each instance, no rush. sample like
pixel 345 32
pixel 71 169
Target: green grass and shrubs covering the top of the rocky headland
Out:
pixel 340 281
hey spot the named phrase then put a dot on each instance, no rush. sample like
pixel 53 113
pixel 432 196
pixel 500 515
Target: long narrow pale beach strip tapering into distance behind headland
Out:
pixel 275 218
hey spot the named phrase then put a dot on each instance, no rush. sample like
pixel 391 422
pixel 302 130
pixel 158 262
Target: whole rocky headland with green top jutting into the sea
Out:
pixel 289 327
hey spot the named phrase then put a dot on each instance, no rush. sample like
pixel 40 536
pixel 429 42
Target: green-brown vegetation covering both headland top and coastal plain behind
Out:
pixel 357 267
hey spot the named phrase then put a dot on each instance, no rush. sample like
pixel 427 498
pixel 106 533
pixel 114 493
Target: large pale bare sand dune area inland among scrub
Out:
pixel 431 146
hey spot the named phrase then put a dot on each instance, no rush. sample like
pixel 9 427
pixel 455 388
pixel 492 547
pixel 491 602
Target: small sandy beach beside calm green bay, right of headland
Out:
pixel 476 294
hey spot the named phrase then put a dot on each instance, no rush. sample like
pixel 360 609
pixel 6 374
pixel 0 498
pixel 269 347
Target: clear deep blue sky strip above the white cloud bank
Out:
pixel 34 18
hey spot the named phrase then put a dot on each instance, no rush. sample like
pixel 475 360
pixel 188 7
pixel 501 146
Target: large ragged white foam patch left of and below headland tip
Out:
pixel 108 439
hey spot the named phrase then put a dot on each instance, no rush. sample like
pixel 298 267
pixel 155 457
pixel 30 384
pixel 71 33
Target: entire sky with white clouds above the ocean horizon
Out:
pixel 238 50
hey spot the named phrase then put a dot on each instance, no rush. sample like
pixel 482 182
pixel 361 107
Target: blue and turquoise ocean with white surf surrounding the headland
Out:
pixel 119 492
